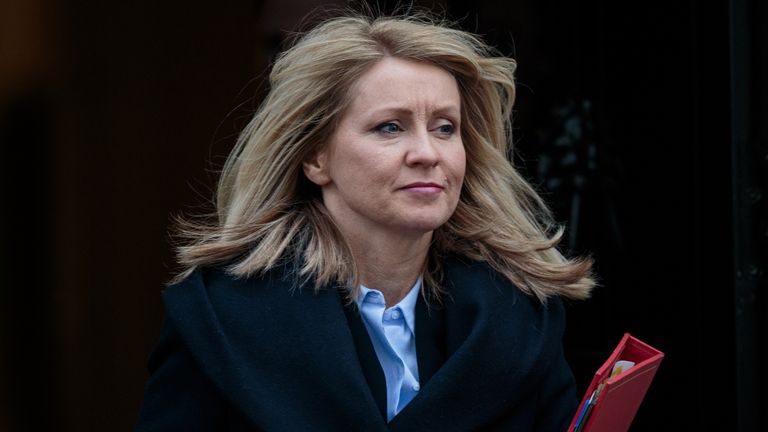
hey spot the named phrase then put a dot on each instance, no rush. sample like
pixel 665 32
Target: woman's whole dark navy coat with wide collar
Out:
pixel 264 353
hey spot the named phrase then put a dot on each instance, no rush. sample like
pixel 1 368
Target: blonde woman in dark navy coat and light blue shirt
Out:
pixel 377 263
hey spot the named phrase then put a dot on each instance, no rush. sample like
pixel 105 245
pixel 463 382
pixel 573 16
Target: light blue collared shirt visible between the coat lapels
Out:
pixel 393 334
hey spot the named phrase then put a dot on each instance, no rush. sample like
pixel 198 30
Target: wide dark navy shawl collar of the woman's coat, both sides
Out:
pixel 269 343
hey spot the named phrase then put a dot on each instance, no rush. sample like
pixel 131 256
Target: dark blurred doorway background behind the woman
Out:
pixel 643 123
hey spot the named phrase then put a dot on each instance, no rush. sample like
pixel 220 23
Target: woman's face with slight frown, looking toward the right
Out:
pixel 395 164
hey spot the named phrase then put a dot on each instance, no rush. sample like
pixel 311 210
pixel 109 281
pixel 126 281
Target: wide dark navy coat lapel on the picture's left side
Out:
pixel 271 347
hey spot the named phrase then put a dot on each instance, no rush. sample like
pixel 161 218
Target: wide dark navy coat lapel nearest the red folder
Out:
pixel 491 359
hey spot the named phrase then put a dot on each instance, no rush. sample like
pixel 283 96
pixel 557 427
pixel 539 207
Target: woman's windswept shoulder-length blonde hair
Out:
pixel 270 214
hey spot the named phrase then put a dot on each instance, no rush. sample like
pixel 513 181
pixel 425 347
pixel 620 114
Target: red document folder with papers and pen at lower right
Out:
pixel 613 406
